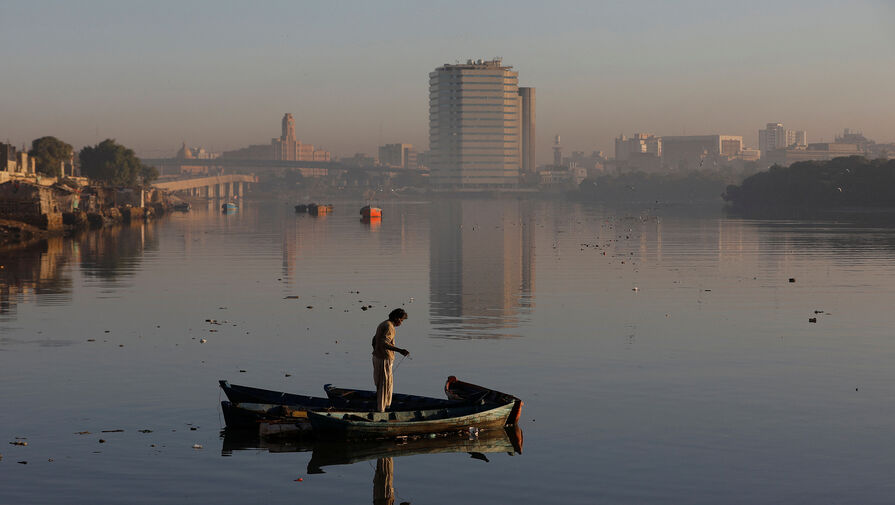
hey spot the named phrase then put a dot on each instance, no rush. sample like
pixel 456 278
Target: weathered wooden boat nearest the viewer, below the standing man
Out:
pixel 391 424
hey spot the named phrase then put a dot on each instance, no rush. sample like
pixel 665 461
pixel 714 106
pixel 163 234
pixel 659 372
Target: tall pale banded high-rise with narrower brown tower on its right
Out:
pixel 475 125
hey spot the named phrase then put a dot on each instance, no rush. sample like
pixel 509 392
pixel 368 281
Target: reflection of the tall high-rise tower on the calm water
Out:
pixel 482 267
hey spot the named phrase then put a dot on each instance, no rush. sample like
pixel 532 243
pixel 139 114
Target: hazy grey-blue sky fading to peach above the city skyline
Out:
pixel 220 74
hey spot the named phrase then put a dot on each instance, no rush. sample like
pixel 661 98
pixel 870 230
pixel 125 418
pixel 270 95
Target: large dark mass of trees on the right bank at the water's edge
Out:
pixel 852 181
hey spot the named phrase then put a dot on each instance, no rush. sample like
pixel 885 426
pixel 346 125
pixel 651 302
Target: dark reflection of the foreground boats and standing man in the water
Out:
pixel 332 452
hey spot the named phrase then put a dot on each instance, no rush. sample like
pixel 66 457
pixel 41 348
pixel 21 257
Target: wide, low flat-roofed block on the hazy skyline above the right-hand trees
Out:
pixel 692 151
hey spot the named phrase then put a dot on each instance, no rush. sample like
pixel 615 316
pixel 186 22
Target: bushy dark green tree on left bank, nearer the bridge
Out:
pixel 113 163
